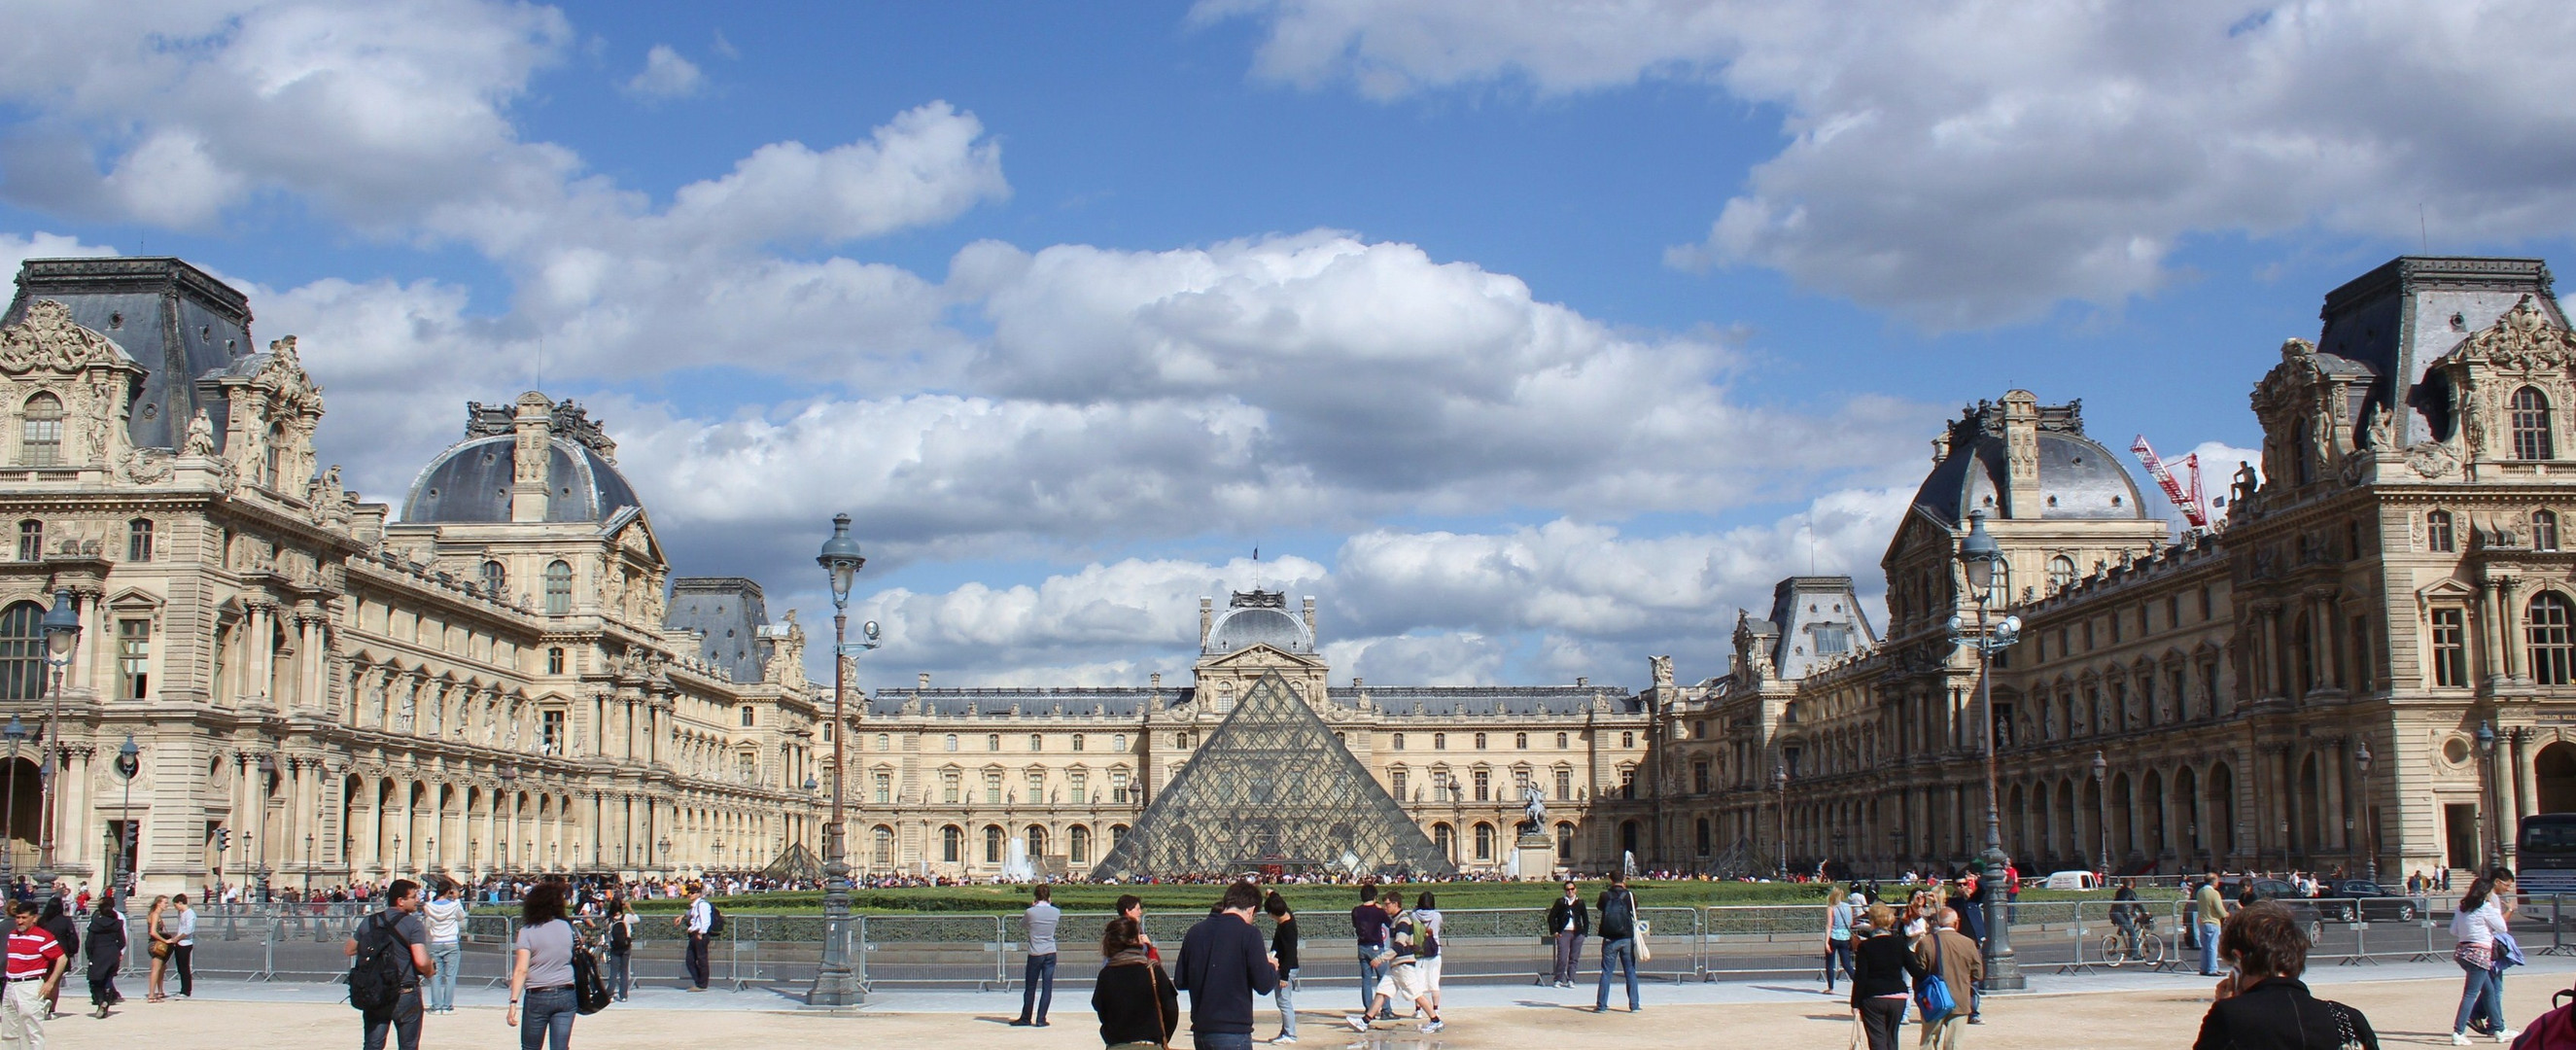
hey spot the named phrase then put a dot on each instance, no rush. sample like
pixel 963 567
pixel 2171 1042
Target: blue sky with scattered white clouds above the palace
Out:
pixel 1531 336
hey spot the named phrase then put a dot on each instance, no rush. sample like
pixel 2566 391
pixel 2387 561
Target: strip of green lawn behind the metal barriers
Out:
pixel 1086 897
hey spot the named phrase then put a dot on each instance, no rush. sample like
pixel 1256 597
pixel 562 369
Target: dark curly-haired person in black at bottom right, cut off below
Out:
pixel 2263 1005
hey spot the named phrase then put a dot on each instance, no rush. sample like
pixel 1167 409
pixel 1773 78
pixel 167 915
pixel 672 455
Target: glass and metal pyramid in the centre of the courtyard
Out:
pixel 1274 789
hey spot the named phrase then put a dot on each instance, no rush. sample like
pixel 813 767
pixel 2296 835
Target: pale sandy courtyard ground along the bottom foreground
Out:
pixel 2410 1005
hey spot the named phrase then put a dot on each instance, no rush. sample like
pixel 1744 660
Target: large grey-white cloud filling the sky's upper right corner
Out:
pixel 1972 166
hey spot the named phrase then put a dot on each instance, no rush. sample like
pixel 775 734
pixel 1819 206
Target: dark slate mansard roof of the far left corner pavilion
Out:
pixel 169 315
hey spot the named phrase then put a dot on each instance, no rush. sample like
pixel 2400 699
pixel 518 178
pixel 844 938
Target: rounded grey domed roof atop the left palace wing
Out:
pixel 470 483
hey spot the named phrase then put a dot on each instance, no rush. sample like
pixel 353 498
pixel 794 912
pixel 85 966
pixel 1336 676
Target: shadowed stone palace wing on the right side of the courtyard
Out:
pixel 2389 583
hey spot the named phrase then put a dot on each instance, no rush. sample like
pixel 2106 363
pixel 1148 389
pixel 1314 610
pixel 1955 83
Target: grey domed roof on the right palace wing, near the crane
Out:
pixel 2080 480
